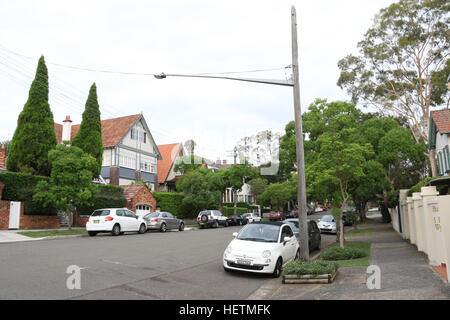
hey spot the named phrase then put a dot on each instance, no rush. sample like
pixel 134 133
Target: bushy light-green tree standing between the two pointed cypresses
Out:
pixel 70 183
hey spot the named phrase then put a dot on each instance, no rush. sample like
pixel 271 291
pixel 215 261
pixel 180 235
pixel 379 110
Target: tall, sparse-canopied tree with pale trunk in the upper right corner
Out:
pixel 399 61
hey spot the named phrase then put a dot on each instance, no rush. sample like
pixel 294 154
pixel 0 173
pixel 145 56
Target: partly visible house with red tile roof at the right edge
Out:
pixel 439 139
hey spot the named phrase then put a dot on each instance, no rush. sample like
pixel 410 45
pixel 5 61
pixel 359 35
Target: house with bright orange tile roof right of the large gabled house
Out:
pixel 167 176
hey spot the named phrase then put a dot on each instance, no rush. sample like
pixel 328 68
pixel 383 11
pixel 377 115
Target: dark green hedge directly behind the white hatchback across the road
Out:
pixel 108 196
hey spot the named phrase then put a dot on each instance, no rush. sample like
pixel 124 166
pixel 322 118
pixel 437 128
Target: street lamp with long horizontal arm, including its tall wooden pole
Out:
pixel 302 217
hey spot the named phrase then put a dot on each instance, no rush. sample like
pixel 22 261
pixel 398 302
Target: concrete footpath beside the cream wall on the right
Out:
pixel 405 274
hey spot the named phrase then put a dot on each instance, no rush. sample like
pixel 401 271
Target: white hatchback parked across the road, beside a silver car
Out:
pixel 114 220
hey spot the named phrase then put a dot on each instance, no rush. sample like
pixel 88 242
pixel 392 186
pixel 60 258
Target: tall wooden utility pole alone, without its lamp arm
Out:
pixel 301 195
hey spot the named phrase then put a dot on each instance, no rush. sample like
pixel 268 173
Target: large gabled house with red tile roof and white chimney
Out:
pixel 129 150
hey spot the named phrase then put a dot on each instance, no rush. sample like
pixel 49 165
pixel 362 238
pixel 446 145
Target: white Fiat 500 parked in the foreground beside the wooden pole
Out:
pixel 262 247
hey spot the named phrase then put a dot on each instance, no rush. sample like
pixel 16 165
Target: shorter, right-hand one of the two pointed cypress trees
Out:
pixel 89 137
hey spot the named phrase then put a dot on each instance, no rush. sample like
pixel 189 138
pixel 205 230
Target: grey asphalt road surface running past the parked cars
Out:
pixel 172 265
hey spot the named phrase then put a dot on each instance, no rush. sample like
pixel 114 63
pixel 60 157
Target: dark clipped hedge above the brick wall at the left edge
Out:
pixel 21 187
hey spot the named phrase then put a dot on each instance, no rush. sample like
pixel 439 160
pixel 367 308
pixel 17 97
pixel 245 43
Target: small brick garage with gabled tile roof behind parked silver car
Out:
pixel 140 200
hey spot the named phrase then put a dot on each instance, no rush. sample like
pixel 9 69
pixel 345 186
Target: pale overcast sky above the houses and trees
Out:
pixel 183 37
